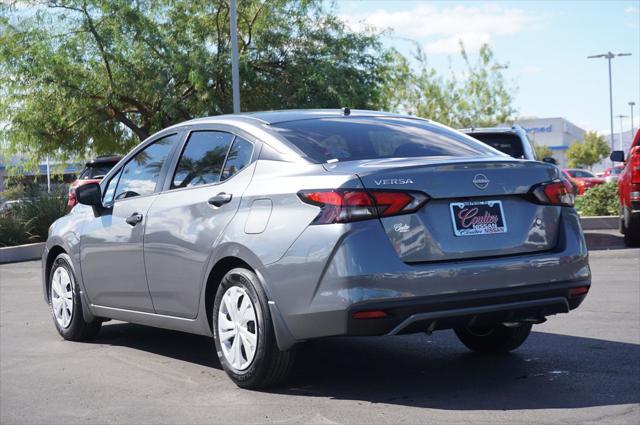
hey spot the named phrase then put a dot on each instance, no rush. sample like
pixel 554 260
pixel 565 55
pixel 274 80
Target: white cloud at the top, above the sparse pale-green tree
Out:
pixel 441 28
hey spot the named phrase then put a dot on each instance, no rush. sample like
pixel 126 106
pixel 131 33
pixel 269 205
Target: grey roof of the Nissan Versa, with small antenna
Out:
pixel 275 117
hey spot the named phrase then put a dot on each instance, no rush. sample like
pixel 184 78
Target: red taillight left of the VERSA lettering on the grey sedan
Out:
pixel 346 205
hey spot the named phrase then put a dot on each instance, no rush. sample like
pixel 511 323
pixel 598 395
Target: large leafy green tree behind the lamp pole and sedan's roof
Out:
pixel 98 76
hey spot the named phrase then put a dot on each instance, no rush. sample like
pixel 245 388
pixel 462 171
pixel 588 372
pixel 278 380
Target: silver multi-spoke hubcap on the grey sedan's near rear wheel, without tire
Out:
pixel 237 328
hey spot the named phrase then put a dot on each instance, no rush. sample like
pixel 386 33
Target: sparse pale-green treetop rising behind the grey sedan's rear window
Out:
pixel 481 98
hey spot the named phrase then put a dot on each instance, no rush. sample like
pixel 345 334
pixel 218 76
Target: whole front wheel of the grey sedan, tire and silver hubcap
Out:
pixel 66 303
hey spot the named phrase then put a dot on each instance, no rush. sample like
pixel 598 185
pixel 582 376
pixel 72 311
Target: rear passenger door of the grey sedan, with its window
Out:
pixel 186 220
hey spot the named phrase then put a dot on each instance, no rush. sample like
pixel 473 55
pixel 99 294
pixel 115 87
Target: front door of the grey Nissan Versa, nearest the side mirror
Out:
pixel 112 258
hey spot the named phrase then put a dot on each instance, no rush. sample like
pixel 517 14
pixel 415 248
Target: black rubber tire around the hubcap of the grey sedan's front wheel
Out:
pixel 78 328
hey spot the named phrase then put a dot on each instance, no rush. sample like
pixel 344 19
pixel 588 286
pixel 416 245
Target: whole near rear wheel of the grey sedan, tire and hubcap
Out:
pixel 243 333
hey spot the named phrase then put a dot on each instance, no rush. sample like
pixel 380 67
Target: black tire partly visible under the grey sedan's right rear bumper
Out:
pixel 494 340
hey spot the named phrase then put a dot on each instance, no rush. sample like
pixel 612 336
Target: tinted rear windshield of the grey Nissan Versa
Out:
pixel 355 138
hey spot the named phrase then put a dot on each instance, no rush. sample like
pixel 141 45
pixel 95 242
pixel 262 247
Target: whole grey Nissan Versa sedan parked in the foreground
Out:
pixel 268 229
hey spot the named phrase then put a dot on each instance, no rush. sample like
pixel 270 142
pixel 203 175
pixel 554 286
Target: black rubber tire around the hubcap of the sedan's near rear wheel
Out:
pixel 269 366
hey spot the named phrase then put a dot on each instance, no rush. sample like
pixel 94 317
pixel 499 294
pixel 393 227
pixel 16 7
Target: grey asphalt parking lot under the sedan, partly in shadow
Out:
pixel 583 367
